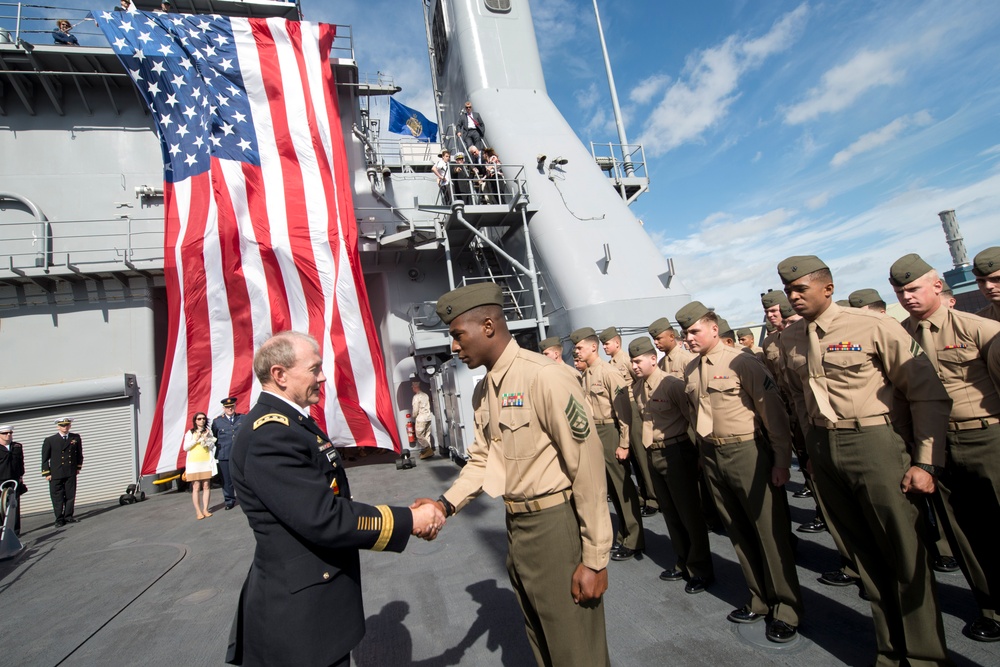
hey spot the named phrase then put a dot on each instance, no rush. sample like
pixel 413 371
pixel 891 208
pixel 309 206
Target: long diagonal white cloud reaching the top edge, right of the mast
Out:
pixel 703 96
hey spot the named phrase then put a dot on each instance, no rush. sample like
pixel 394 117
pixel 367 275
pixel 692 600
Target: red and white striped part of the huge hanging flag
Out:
pixel 255 250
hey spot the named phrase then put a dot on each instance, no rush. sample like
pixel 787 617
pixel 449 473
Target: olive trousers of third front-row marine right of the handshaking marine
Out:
pixel 675 481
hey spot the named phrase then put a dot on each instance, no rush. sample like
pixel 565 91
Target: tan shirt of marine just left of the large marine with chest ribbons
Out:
pixel 742 395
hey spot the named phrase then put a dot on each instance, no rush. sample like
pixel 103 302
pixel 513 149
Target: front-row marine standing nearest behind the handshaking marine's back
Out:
pixel 608 399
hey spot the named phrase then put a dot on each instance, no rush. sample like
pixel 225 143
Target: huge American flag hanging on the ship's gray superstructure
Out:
pixel 260 232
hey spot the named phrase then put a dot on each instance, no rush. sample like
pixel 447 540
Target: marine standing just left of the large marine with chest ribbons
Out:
pixel 732 396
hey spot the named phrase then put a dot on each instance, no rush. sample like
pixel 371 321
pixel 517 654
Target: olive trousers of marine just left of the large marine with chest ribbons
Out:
pixel 756 517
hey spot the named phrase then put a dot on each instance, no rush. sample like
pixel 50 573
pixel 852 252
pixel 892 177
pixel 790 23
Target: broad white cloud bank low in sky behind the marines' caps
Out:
pixel 729 260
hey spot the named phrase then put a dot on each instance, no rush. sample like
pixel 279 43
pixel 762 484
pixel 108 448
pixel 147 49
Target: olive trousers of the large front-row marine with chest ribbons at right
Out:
pixel 857 474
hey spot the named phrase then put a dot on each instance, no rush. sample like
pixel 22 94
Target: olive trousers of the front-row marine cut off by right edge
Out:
pixel 970 496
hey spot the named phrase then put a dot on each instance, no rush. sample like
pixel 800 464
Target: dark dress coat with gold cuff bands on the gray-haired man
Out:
pixel 301 602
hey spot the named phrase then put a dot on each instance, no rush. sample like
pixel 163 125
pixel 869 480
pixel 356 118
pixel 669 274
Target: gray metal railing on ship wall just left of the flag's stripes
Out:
pixel 38 248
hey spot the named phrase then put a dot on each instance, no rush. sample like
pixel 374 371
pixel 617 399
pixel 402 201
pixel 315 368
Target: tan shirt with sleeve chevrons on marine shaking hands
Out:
pixel 531 412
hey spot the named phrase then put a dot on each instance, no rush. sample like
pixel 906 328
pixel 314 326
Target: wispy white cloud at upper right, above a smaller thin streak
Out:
pixel 843 84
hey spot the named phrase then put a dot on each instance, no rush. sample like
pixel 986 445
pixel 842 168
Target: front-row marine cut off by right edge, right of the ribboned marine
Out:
pixel 957 345
